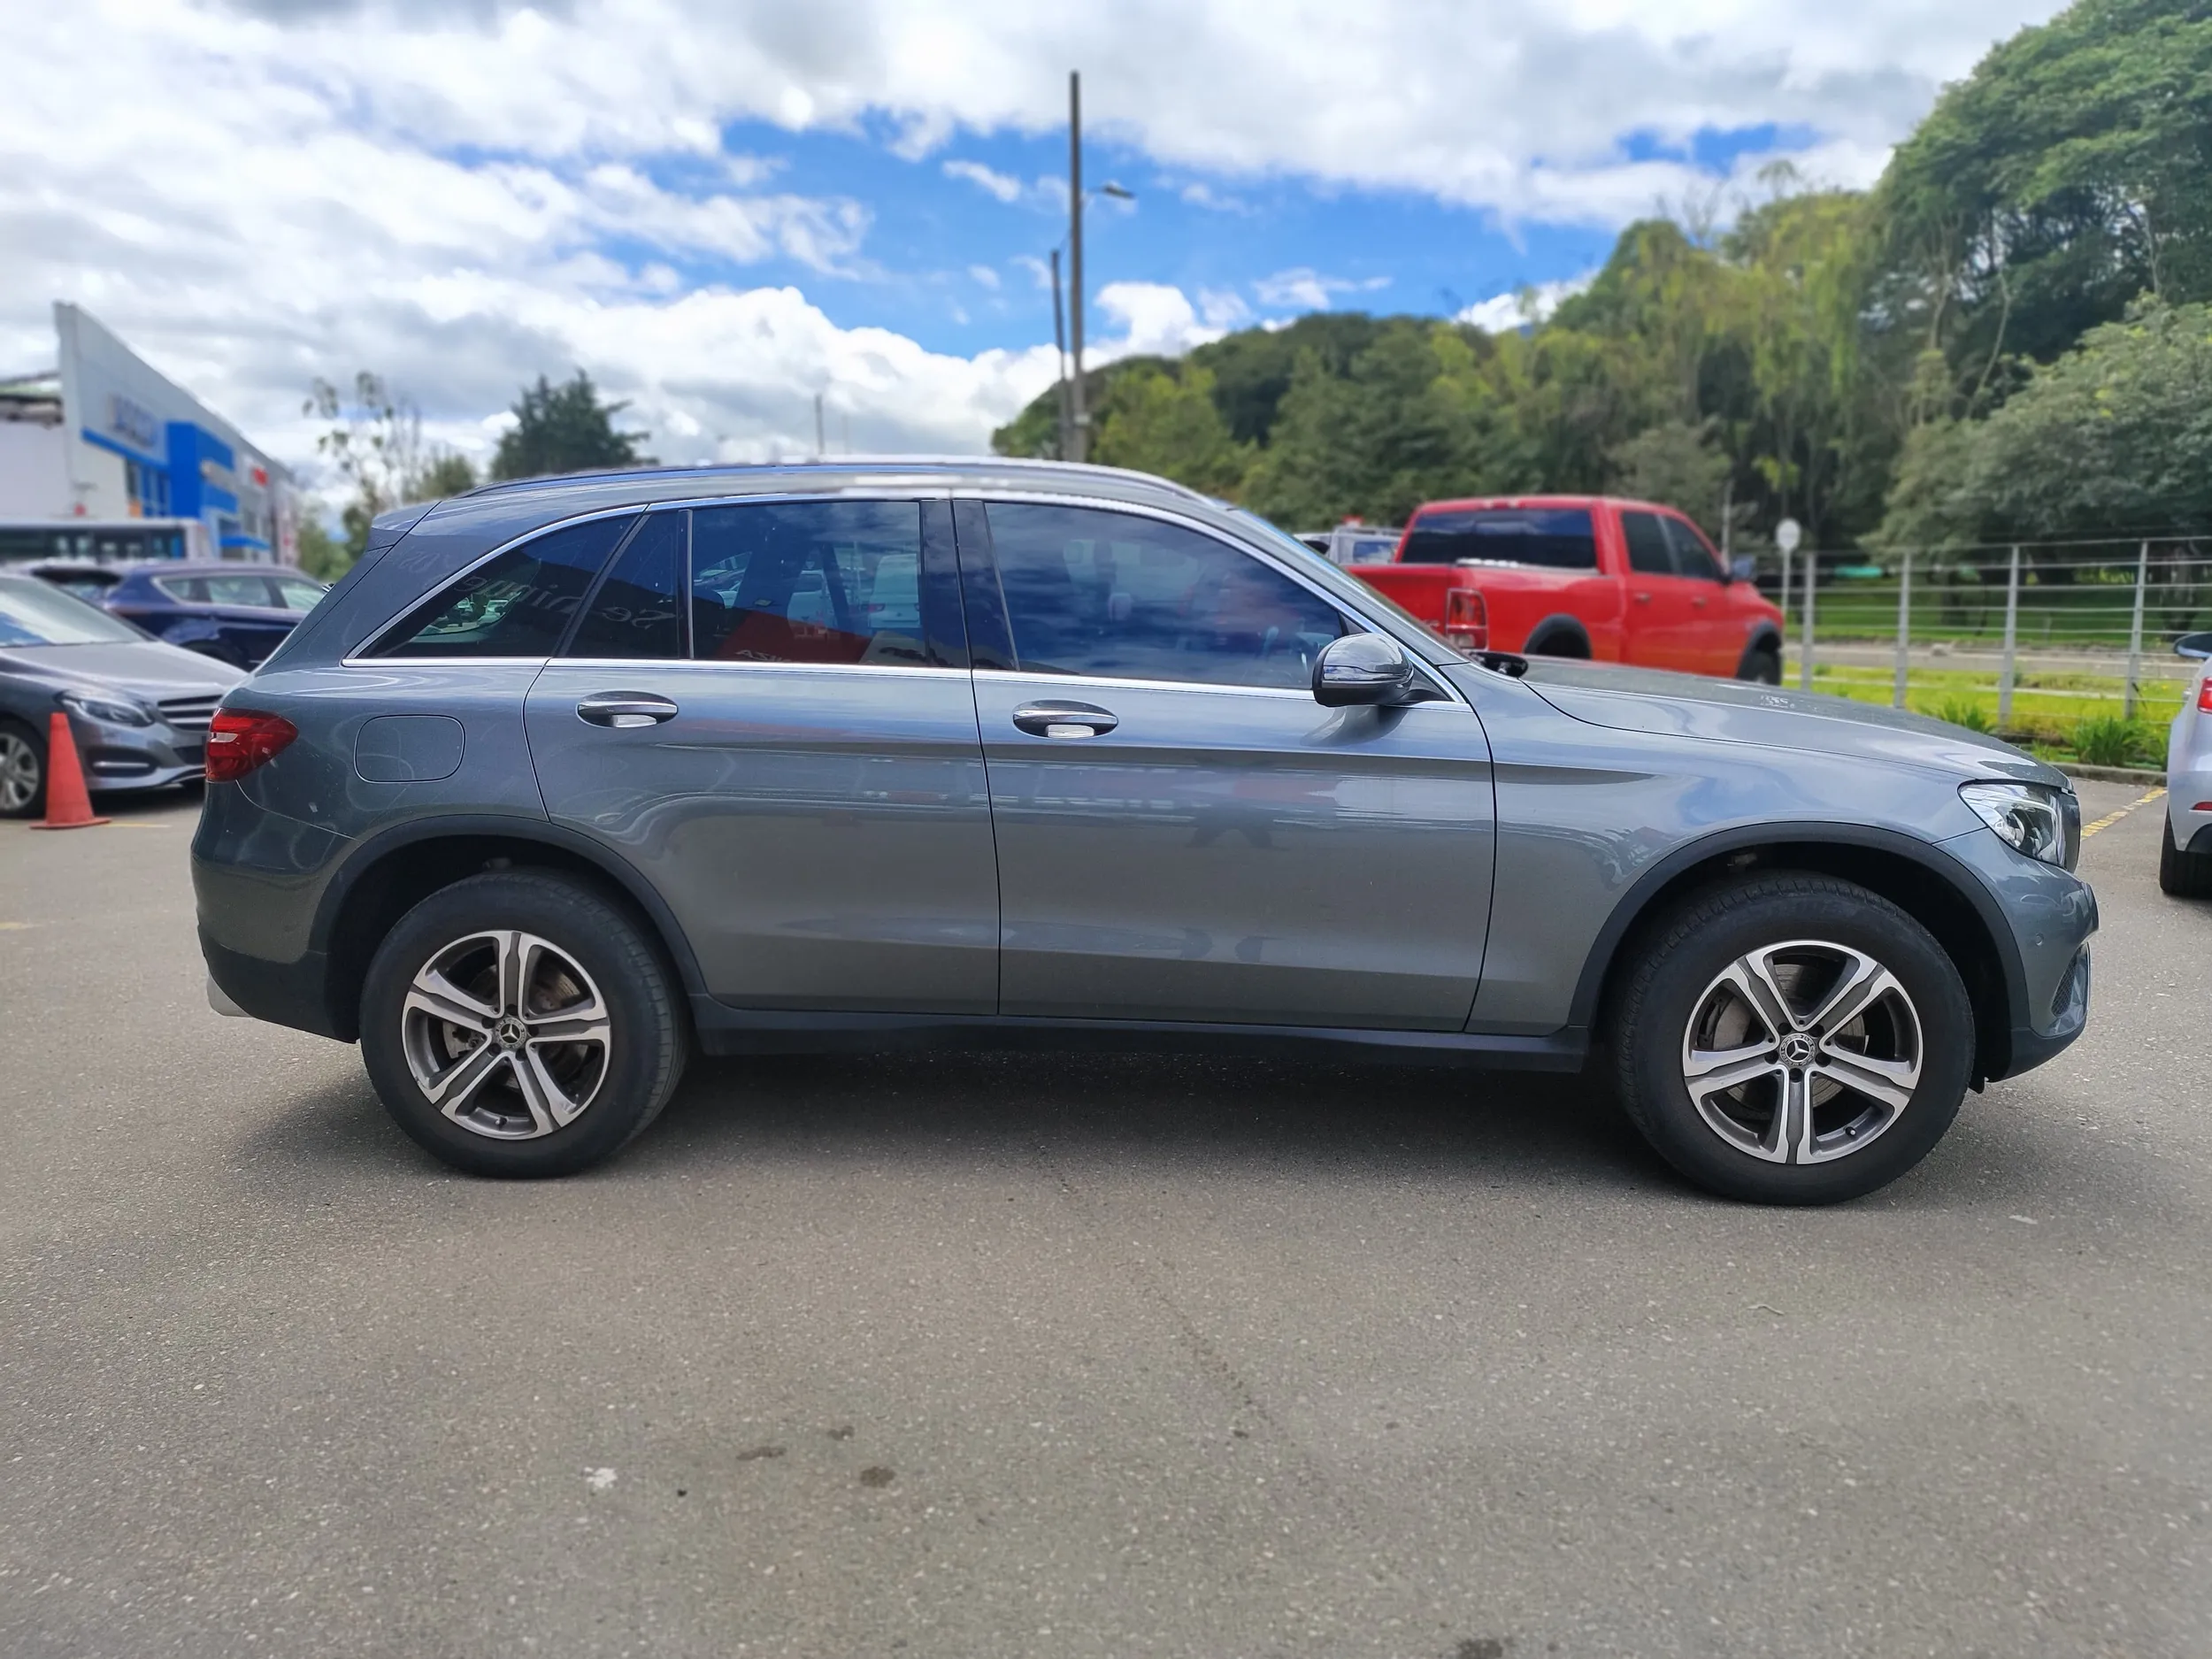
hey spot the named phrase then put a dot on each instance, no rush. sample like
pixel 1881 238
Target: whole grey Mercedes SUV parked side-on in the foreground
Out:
pixel 572 778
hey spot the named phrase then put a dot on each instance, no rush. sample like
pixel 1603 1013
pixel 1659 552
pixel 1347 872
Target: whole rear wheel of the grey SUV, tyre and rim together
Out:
pixel 589 972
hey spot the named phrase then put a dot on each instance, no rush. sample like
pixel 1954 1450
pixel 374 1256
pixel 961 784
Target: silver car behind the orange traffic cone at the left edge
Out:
pixel 138 709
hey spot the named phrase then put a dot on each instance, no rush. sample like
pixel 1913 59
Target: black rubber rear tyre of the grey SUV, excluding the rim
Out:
pixel 645 1050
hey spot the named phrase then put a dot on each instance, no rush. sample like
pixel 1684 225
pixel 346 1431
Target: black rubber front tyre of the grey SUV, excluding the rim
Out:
pixel 1711 935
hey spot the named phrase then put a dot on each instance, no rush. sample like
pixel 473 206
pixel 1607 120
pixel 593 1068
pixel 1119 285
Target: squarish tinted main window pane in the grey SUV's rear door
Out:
pixel 808 583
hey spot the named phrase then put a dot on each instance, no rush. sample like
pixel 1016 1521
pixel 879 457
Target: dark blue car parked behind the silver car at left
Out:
pixel 231 612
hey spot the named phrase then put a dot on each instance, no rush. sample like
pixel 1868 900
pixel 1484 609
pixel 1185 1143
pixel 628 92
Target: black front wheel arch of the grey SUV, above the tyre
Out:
pixel 1914 875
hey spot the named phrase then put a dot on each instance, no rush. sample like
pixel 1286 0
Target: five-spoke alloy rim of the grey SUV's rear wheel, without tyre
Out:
pixel 505 1034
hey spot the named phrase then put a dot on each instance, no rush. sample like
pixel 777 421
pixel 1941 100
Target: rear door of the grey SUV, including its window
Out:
pixel 766 711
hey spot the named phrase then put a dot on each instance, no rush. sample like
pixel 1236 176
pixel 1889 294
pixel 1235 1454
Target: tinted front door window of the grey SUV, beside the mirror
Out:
pixel 1134 598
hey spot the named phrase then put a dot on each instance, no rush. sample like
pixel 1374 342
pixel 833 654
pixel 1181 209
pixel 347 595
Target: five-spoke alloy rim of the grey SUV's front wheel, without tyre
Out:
pixel 1802 1052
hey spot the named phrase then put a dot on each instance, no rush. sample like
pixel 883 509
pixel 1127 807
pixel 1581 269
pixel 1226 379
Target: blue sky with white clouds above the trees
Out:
pixel 724 209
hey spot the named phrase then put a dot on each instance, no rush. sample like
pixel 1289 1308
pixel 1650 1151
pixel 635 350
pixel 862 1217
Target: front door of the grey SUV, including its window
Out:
pixel 1182 831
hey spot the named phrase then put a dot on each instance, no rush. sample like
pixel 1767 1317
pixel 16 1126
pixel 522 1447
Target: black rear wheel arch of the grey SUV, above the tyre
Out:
pixel 399 868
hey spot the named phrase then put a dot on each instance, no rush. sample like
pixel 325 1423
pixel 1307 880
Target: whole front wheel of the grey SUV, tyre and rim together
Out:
pixel 1795 937
